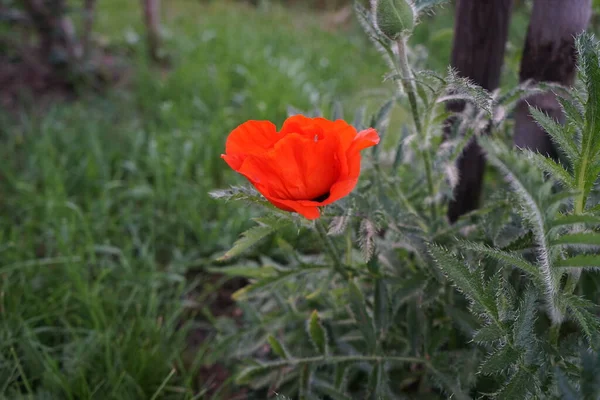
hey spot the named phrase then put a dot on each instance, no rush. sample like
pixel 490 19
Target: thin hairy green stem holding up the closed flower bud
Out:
pixel 407 84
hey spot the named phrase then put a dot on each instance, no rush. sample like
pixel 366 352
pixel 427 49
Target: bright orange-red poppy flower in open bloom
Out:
pixel 310 163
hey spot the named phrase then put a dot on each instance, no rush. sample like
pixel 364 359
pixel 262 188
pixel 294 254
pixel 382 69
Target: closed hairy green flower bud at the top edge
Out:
pixel 394 17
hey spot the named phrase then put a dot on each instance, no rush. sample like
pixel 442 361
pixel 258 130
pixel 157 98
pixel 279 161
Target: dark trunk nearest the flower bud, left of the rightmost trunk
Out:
pixel 480 33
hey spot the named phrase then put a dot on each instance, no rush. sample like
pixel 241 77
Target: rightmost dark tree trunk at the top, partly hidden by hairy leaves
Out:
pixel 549 56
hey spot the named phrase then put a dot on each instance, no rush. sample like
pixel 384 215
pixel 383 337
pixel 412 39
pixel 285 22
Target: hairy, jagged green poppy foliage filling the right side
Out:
pixel 410 306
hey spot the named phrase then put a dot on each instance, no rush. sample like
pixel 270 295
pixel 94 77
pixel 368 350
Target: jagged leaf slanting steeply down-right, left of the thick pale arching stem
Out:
pixel 467 282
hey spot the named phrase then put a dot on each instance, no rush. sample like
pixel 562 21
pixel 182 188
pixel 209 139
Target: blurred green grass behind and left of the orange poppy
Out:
pixel 104 202
